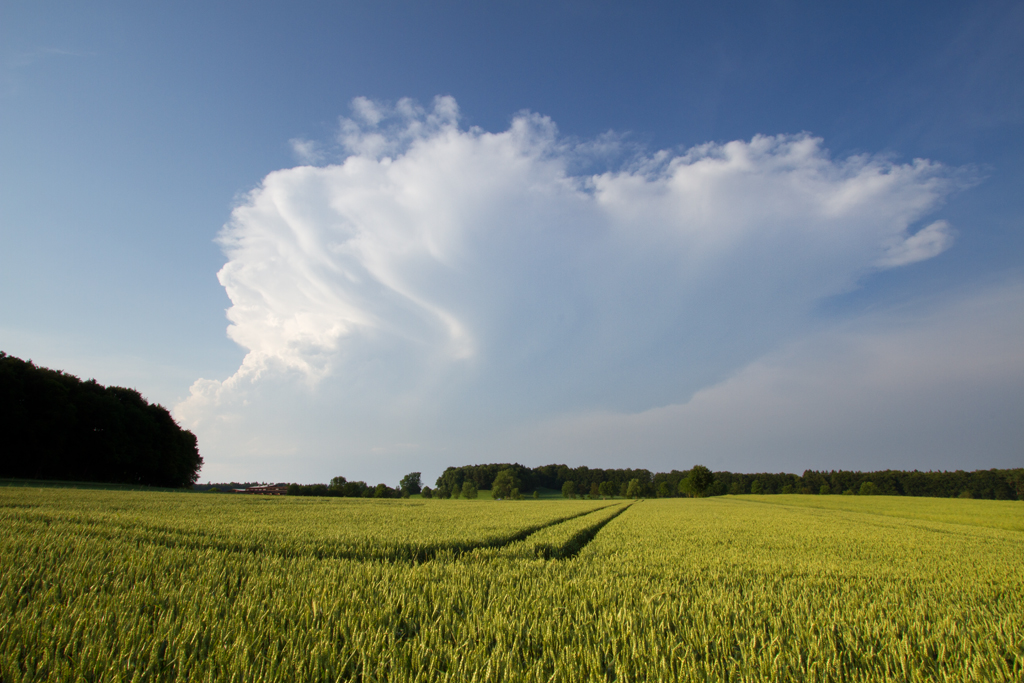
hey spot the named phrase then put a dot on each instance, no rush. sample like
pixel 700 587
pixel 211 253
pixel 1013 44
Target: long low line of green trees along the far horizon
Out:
pixel 699 482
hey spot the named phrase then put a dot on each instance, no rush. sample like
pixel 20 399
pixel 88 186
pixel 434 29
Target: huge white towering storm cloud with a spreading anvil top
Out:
pixel 438 266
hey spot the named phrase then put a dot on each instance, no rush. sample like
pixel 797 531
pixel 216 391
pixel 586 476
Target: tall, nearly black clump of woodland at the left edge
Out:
pixel 56 426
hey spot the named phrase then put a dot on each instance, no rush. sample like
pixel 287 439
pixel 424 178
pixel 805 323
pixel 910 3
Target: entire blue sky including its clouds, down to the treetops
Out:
pixel 755 236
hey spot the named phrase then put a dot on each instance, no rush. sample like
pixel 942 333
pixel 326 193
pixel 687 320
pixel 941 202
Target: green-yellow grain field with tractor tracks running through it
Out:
pixel 126 586
